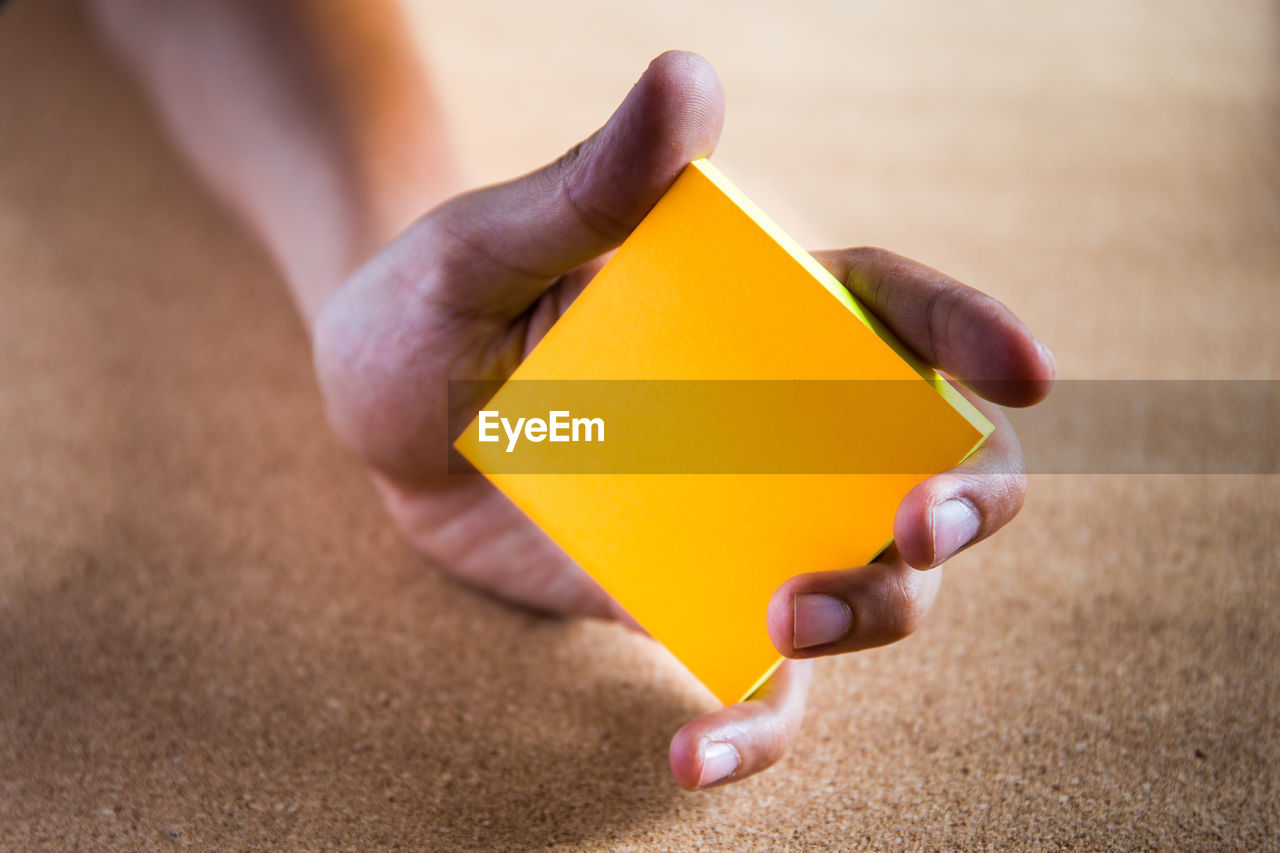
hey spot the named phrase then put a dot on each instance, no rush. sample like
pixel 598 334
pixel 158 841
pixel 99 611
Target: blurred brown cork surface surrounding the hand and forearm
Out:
pixel 212 637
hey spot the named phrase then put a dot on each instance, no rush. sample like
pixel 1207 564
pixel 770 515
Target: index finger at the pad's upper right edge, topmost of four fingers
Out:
pixel 964 332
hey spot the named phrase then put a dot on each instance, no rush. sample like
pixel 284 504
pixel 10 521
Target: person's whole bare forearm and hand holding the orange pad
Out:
pixel 317 125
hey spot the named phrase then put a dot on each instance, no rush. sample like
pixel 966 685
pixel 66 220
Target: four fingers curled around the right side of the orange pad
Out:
pixel 962 332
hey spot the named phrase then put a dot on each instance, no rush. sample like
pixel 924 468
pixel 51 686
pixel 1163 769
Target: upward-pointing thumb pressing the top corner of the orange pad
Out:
pixel 518 238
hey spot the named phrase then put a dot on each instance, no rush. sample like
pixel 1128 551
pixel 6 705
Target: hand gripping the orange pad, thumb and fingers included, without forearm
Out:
pixel 474 285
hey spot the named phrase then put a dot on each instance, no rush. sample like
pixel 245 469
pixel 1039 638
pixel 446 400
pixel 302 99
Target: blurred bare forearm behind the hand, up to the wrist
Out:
pixel 313 121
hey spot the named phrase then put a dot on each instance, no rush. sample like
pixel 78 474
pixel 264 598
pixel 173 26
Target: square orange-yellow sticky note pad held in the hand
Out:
pixel 708 289
